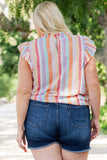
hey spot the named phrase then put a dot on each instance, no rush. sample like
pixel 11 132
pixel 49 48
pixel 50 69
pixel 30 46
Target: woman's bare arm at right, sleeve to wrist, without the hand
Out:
pixel 93 87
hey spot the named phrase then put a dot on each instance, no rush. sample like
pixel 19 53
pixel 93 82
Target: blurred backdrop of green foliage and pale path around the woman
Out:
pixel 83 17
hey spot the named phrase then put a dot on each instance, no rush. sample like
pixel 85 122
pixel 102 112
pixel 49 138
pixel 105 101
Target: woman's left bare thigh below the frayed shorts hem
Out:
pixel 51 152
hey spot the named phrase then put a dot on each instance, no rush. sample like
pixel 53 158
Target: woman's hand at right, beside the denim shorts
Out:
pixel 95 128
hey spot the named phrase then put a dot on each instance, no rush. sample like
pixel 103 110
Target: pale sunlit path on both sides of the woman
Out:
pixel 9 149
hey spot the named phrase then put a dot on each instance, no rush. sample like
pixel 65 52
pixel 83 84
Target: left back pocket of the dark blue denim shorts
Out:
pixel 37 114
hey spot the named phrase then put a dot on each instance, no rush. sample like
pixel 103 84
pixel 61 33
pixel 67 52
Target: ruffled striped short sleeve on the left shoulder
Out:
pixel 24 50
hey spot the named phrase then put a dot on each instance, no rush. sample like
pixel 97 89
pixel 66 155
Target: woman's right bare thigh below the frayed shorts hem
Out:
pixel 67 155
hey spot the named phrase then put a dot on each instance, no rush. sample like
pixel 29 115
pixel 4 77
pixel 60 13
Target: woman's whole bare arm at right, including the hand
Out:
pixel 94 93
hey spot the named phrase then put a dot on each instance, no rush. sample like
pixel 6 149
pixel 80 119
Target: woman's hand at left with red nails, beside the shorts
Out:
pixel 21 138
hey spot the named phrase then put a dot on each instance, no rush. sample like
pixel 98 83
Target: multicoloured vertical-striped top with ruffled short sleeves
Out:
pixel 57 64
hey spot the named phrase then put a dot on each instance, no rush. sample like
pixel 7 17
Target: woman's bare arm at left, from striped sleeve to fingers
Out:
pixel 23 95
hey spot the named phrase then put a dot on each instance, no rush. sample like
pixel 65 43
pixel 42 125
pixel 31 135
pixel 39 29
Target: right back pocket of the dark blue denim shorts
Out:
pixel 79 115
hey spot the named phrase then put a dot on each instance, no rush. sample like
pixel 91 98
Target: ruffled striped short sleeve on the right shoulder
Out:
pixel 90 49
